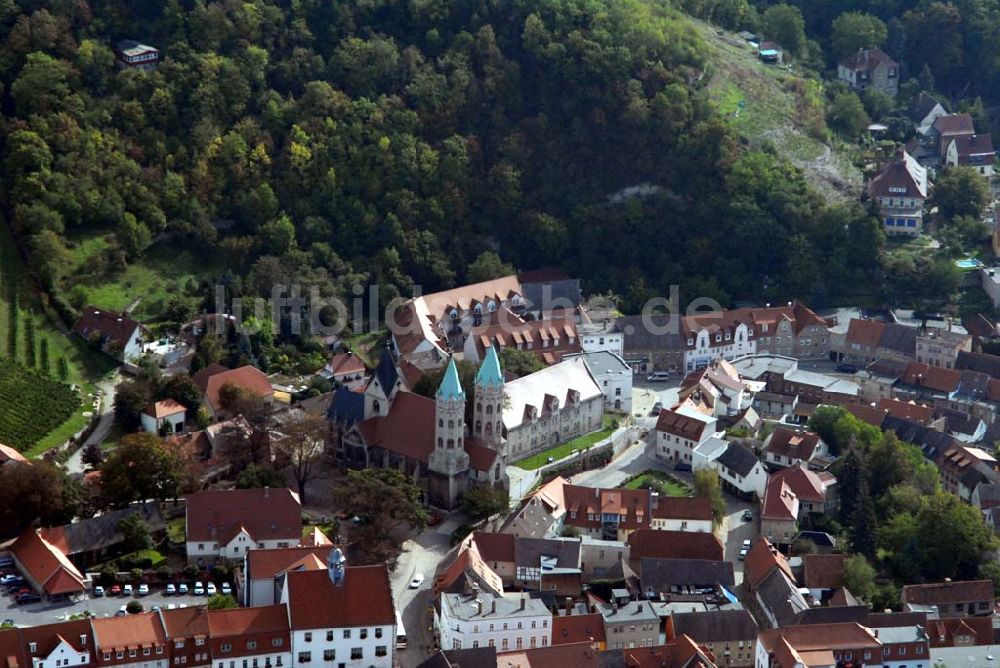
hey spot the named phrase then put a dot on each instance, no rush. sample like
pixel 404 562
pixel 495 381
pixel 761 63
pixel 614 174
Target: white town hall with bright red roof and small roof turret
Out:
pixel 340 615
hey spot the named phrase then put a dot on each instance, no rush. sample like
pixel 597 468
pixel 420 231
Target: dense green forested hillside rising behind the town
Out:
pixel 328 142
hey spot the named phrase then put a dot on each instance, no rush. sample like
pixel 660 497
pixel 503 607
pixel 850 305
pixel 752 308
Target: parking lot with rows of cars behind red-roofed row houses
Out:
pixel 46 612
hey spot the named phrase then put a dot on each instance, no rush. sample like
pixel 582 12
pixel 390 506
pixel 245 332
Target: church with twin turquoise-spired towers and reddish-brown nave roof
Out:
pixel 429 438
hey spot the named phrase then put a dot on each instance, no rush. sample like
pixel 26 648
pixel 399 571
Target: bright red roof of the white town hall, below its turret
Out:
pixel 364 599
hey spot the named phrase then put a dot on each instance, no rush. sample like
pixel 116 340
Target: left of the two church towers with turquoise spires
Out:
pixel 449 458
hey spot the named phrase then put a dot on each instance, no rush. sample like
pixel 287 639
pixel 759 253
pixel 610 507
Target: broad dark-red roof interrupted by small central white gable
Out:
pixel 266 514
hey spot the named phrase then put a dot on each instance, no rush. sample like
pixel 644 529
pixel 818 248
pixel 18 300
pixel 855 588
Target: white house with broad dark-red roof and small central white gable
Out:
pixel 227 524
